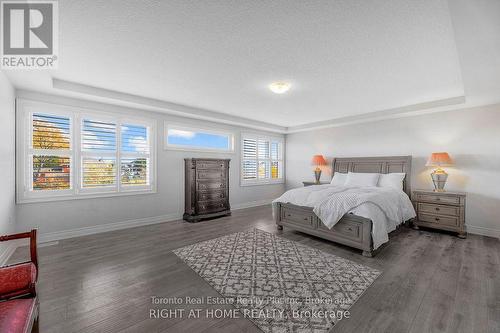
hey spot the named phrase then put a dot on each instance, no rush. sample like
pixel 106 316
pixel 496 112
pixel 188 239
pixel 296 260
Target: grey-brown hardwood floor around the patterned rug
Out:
pixel 431 282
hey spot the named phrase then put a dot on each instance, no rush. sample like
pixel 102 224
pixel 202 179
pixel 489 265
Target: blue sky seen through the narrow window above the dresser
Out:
pixel 198 139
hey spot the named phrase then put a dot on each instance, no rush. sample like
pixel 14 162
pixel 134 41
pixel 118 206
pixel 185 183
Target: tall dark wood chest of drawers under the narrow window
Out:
pixel 206 188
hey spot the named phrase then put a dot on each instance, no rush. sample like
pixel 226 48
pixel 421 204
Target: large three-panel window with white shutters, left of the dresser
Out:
pixel 74 154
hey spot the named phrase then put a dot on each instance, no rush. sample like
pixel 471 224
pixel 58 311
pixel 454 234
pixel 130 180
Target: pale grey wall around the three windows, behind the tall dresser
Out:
pixel 62 219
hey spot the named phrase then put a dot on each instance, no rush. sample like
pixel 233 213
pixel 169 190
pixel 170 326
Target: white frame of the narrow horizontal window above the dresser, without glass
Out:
pixel 184 127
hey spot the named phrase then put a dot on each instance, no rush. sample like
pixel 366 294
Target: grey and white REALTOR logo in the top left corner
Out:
pixel 29 34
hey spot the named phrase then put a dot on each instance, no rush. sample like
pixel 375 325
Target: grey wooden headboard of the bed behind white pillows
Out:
pixel 383 164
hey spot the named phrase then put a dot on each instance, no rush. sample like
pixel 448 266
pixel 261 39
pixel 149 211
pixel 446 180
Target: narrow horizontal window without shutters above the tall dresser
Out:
pixel 188 138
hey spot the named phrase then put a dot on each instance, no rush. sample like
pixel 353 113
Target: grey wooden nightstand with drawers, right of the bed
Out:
pixel 440 210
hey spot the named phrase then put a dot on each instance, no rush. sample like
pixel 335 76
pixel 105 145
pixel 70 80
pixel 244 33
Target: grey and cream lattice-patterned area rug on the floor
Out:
pixel 281 285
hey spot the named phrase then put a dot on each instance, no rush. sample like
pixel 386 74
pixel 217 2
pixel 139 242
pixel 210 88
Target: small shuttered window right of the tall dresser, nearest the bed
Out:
pixel 262 160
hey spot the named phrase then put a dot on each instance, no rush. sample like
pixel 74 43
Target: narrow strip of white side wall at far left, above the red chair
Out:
pixel 7 157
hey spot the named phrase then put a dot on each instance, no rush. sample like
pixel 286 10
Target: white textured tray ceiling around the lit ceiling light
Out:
pixel 343 58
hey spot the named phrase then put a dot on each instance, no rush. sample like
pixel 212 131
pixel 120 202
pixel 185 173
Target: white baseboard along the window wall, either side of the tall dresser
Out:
pixel 78 232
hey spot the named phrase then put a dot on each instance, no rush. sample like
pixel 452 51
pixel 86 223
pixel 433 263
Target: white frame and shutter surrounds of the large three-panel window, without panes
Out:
pixel 25 108
